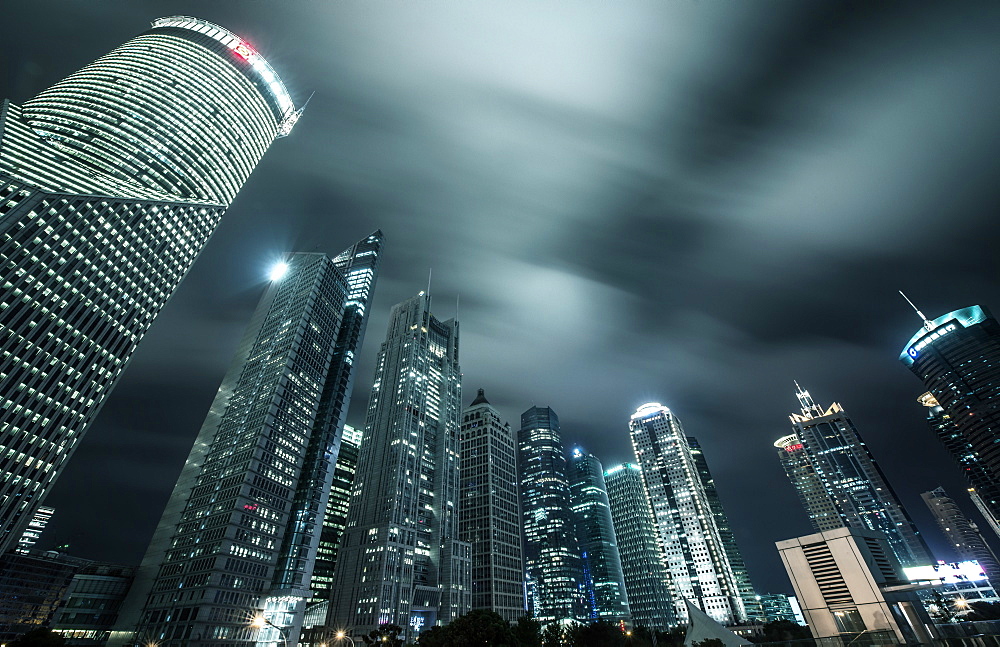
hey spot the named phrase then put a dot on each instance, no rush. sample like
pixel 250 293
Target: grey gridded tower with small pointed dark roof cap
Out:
pixel 489 518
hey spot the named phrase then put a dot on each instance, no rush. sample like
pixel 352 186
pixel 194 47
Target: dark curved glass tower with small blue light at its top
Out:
pixel 605 594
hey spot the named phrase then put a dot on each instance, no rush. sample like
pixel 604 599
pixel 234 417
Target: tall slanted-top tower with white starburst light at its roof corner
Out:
pixel 240 532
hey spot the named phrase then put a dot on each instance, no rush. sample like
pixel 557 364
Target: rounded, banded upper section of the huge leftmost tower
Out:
pixel 186 108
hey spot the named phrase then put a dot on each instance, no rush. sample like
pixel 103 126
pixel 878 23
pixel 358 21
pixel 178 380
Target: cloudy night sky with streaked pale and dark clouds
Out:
pixel 693 203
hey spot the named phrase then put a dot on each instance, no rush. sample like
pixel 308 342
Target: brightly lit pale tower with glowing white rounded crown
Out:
pixel 696 557
